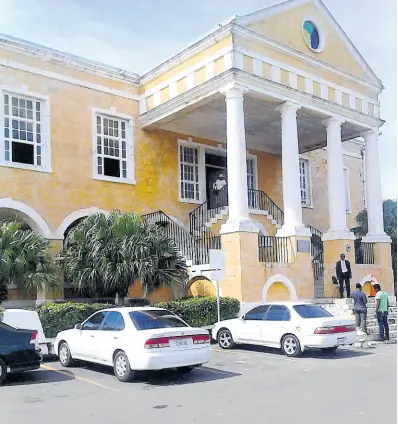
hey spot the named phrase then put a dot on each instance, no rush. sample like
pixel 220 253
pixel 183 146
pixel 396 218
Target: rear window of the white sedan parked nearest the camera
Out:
pixel 156 319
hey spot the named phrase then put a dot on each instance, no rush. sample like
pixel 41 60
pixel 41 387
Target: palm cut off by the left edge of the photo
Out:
pixel 25 260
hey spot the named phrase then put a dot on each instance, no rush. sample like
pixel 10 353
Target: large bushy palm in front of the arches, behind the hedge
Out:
pixel 108 253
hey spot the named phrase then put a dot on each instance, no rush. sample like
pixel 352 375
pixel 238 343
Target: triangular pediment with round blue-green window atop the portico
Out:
pixel 307 26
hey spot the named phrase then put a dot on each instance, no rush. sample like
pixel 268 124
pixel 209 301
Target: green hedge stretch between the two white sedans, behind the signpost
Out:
pixel 202 311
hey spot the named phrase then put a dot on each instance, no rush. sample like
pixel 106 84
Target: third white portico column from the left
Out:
pixel 336 184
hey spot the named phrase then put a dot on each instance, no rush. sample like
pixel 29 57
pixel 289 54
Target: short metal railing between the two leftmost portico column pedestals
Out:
pixel 274 250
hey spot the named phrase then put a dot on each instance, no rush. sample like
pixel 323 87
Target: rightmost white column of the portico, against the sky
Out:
pixel 373 188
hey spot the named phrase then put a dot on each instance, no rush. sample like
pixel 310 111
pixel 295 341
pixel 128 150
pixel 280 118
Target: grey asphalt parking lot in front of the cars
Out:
pixel 248 385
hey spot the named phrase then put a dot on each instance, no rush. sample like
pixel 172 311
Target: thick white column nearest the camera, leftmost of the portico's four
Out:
pixel 239 220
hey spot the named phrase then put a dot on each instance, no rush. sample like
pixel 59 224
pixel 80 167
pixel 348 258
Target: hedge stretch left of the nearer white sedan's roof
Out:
pixel 57 317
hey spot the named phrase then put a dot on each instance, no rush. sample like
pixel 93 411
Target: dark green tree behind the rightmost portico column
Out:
pixel 390 227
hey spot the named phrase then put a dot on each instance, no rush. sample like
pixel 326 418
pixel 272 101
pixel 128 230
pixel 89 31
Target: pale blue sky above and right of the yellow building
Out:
pixel 137 35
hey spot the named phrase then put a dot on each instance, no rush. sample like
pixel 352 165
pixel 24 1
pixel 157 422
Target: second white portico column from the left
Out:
pixel 292 209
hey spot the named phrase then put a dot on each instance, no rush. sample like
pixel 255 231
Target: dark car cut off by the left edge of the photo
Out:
pixel 19 350
